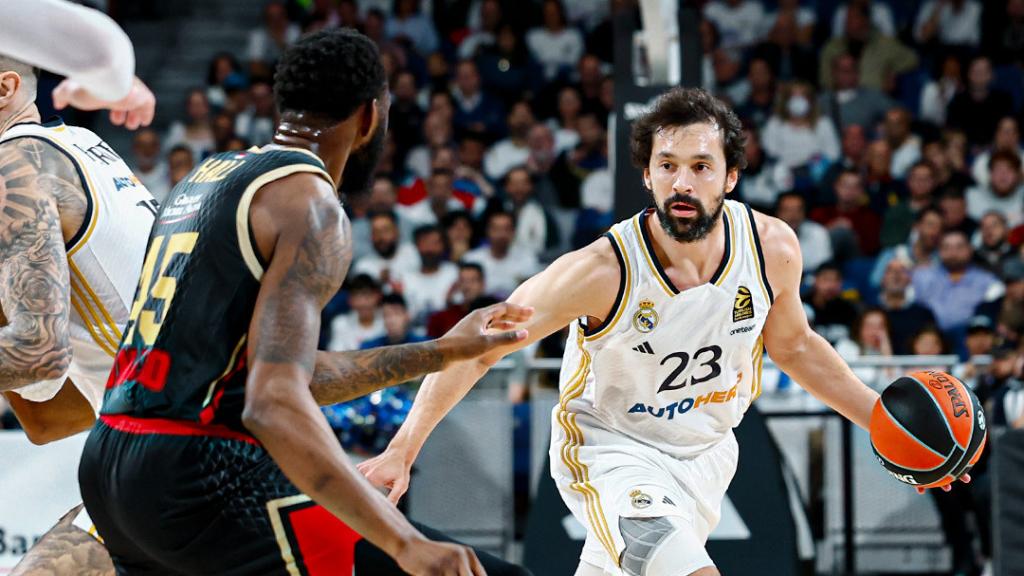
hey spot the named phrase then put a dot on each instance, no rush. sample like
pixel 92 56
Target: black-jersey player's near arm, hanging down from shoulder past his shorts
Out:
pixel 310 258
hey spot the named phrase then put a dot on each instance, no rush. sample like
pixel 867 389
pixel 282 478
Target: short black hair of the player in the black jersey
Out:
pixel 330 73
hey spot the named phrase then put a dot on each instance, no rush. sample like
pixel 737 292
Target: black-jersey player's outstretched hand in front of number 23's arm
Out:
pixel 486 330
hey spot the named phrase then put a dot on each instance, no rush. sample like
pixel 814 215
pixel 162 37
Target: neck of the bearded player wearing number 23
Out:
pixel 689 264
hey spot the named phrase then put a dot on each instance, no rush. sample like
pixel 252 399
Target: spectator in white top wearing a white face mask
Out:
pixel 797 136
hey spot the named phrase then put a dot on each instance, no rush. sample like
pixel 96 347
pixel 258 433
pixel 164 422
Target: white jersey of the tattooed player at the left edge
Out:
pixel 105 258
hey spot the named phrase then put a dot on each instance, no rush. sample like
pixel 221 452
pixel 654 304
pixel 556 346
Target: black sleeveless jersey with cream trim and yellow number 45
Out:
pixel 184 356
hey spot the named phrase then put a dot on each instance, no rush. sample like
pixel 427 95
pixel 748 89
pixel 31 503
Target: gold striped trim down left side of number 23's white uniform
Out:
pixel 571 452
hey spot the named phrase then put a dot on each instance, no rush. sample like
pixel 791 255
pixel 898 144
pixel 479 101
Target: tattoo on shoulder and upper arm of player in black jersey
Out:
pixel 289 325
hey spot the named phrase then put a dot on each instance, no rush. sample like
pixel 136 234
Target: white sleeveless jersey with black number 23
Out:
pixel 673 371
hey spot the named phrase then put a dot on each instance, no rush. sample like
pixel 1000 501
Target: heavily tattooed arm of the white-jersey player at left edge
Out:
pixel 34 280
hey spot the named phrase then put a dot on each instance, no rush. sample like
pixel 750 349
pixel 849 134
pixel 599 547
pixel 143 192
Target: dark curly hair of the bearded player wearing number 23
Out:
pixel 682 107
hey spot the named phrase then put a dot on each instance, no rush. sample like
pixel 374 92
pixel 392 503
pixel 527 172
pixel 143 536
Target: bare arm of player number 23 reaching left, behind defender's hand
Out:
pixel 581 283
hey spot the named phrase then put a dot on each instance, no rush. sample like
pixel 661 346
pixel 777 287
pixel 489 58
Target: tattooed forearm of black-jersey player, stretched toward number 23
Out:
pixel 342 377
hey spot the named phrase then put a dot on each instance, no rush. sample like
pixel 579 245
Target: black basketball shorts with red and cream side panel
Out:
pixel 177 499
